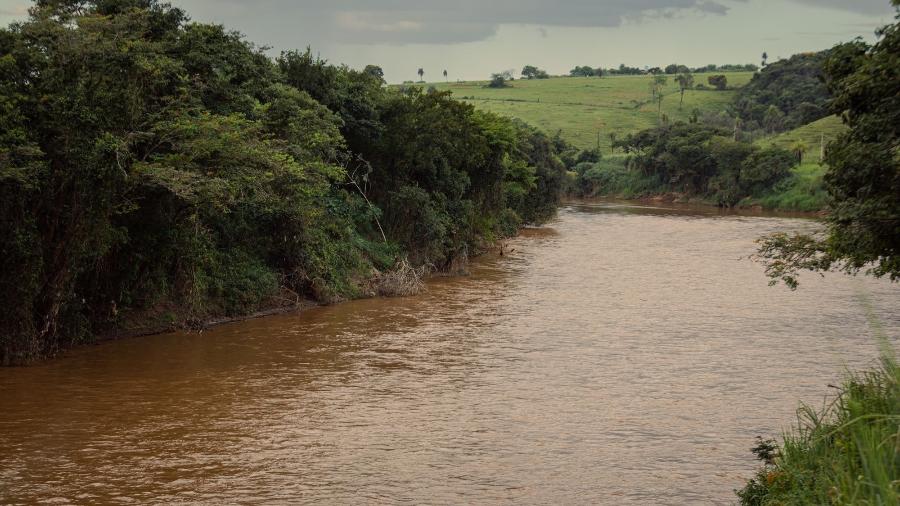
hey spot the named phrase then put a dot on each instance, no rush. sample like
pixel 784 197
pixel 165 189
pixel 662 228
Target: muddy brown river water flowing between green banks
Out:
pixel 624 354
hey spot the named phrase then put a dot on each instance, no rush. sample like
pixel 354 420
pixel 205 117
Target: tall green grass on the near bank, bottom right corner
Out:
pixel 847 453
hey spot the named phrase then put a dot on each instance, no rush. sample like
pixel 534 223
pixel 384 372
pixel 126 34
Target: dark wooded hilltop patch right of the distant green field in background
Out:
pixel 785 95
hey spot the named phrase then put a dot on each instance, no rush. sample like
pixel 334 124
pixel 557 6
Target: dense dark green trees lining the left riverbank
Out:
pixel 150 166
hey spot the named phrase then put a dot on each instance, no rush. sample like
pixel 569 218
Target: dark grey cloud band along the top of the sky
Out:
pixel 442 22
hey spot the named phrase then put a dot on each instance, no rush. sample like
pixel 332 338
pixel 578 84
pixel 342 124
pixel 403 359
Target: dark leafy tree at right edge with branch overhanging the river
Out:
pixel 863 180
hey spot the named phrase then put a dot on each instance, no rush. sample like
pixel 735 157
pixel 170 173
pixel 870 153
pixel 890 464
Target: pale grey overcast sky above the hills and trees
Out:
pixel 473 38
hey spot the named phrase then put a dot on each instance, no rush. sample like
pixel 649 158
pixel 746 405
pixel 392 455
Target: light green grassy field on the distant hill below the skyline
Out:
pixel 583 107
